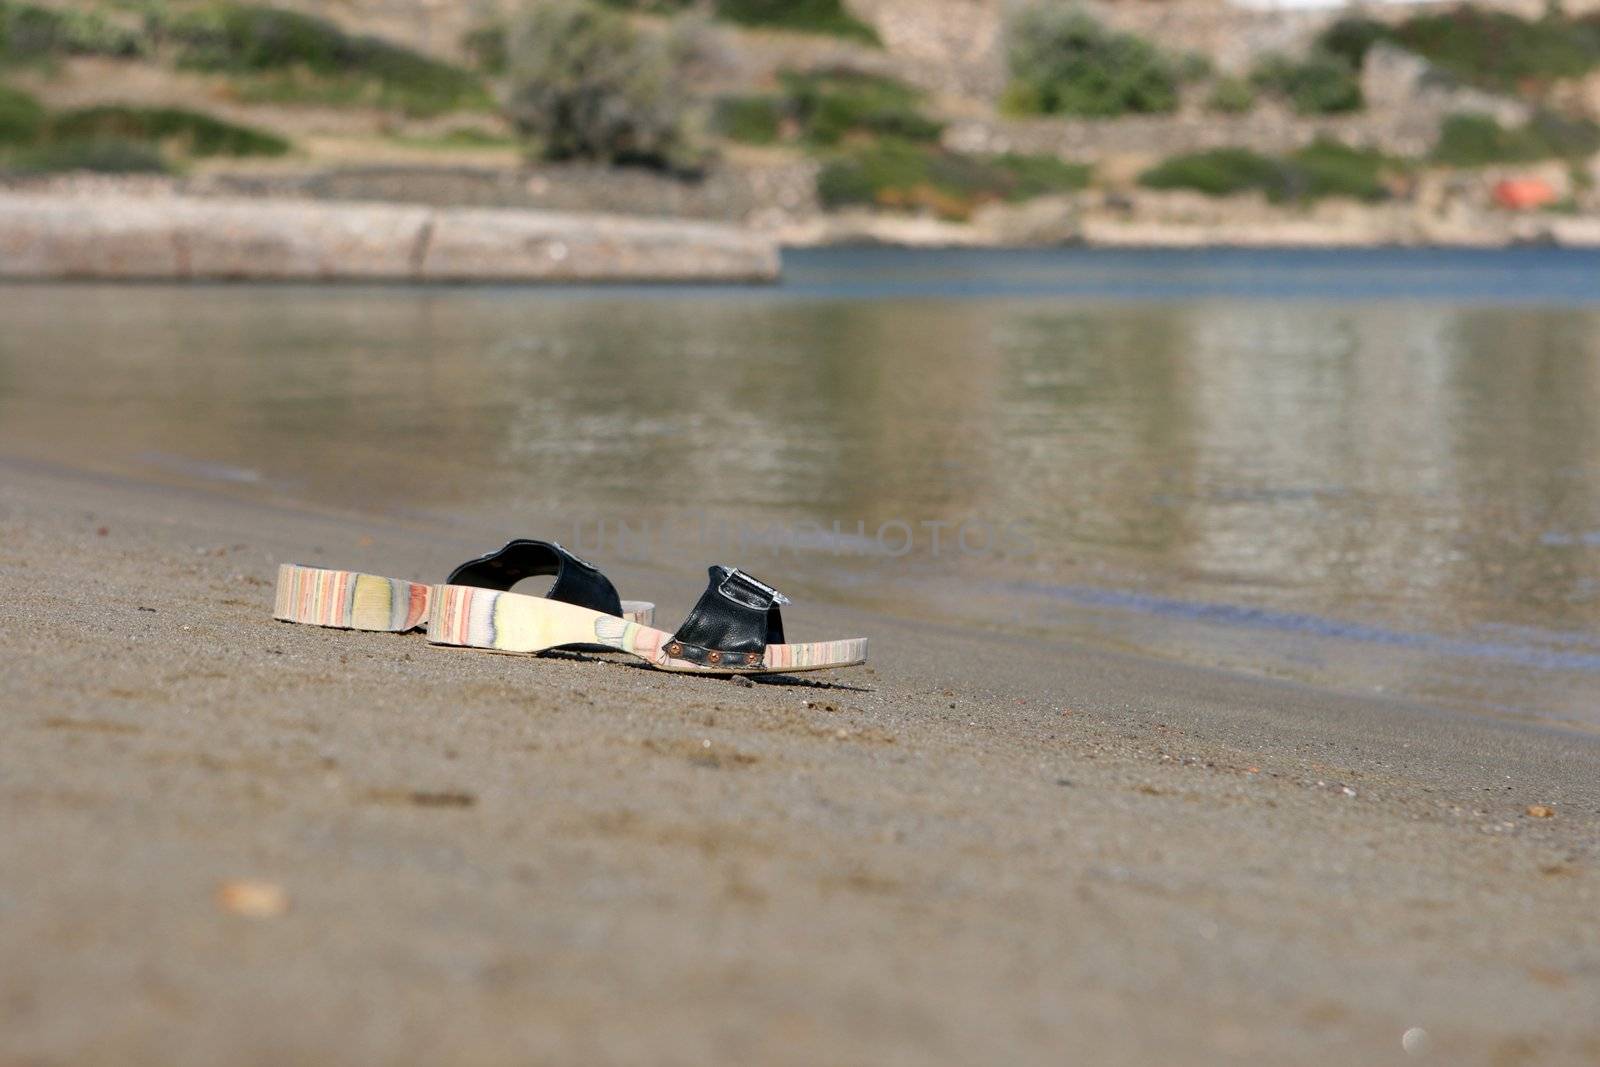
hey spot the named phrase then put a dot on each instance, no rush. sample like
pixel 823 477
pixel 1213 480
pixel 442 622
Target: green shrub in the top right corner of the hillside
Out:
pixel 1502 52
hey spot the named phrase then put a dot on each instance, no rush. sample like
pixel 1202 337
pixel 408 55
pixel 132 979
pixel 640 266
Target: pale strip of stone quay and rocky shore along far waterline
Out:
pixel 138 228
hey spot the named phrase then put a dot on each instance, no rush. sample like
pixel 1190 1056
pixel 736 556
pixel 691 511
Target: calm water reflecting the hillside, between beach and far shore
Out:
pixel 1276 442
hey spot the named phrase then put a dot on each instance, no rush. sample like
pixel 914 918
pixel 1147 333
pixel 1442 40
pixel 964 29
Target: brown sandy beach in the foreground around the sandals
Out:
pixel 978 850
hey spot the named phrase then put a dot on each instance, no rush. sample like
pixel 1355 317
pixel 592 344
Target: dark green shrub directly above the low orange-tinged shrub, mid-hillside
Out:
pixel 834 105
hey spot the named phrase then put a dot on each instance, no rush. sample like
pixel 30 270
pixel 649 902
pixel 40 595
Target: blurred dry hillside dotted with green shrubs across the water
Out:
pixel 903 121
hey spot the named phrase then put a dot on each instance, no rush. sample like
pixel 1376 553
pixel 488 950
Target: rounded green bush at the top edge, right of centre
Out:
pixel 1065 63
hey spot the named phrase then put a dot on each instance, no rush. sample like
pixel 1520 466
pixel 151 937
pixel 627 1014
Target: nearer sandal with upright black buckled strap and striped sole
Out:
pixel 734 629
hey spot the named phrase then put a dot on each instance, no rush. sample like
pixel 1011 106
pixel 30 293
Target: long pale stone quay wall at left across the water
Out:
pixel 129 238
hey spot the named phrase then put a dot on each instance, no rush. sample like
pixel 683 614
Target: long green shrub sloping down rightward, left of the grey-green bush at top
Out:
pixel 258 41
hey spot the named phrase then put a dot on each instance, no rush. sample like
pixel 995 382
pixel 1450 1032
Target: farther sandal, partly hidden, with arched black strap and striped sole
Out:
pixel 370 602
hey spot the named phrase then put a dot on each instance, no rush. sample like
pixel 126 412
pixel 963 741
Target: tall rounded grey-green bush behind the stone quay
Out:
pixel 586 86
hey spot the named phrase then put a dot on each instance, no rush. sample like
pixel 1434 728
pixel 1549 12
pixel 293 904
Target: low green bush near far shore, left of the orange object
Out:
pixel 1324 169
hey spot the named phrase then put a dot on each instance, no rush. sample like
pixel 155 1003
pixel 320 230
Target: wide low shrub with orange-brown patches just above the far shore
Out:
pixel 902 175
